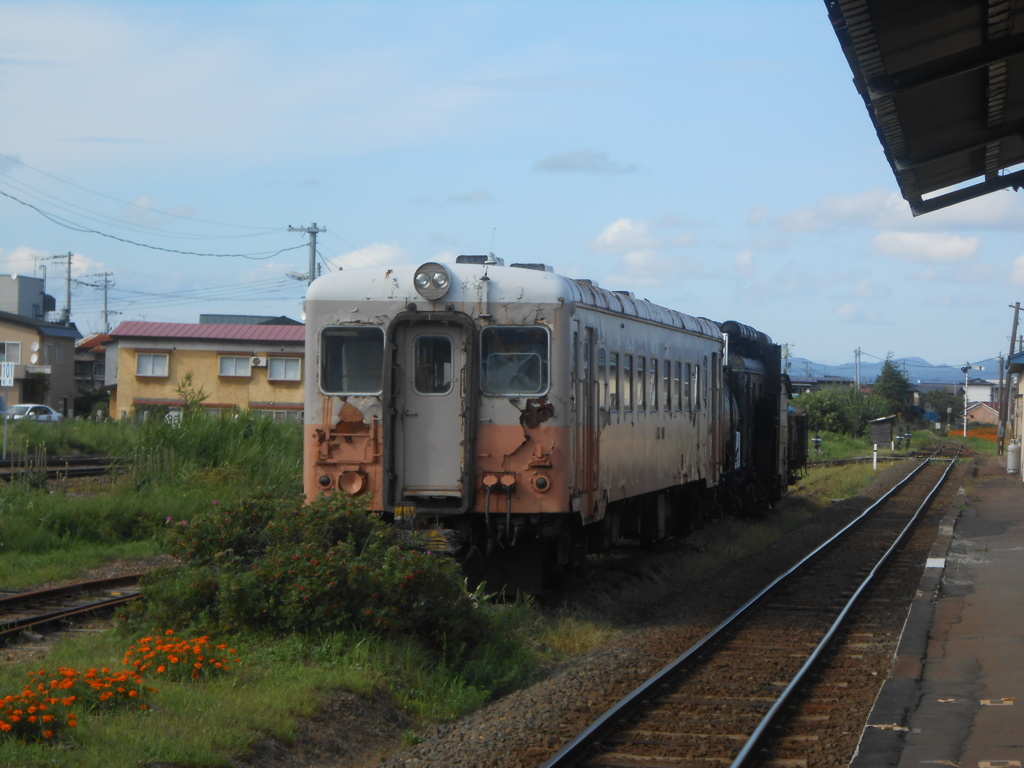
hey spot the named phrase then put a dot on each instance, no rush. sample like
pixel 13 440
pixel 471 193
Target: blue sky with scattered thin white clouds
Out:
pixel 714 158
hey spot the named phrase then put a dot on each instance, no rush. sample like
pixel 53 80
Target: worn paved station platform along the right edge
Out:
pixel 956 695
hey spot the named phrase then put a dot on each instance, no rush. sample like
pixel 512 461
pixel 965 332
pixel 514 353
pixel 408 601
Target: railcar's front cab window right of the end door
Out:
pixel 515 360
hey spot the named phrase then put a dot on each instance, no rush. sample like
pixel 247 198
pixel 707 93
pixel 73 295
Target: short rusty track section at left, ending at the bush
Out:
pixel 40 609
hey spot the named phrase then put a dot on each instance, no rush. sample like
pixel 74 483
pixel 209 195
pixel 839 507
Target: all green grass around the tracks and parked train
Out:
pixel 53 533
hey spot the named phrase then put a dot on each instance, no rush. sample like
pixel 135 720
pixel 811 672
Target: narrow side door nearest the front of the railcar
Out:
pixel 586 438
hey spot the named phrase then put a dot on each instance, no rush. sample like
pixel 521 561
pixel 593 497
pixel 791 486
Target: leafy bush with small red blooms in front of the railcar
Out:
pixel 327 567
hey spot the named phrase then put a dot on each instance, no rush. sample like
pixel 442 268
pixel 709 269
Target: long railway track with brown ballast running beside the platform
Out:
pixel 717 704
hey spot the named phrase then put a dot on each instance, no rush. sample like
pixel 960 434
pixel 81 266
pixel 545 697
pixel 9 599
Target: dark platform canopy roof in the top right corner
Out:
pixel 944 82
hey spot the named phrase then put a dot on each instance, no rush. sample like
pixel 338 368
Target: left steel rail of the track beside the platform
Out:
pixel 573 752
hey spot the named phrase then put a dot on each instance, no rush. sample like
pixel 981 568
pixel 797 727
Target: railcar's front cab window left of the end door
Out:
pixel 352 360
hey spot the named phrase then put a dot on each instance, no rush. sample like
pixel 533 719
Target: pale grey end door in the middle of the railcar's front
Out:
pixel 430 390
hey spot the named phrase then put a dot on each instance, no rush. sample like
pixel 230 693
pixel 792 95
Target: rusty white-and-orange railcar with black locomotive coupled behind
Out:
pixel 529 418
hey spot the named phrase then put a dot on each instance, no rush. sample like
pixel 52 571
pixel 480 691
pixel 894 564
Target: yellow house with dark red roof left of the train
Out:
pixel 255 367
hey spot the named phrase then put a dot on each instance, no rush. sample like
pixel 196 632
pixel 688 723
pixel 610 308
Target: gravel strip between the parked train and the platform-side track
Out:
pixel 527 728
